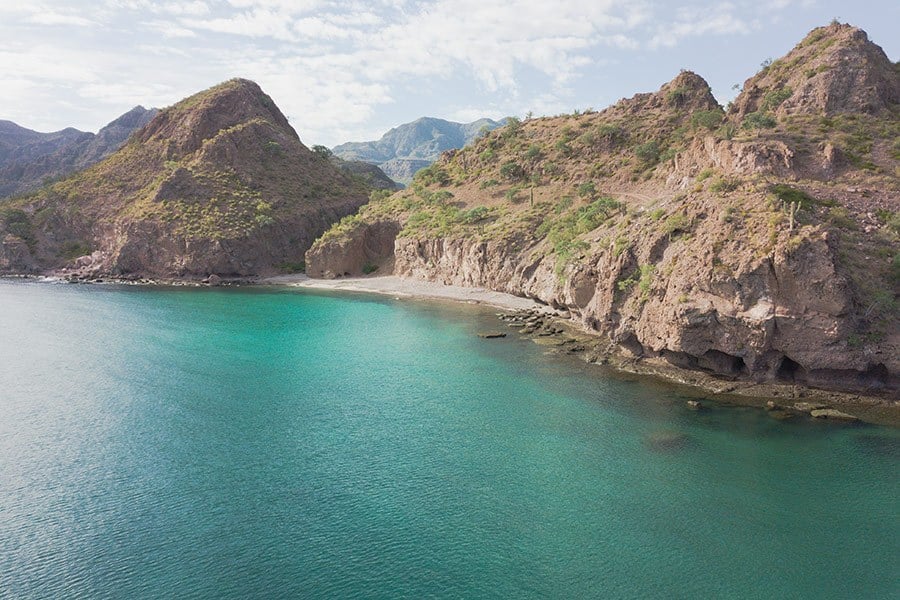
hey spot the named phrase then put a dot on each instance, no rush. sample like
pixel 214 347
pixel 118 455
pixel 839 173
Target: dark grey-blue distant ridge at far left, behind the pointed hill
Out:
pixel 29 158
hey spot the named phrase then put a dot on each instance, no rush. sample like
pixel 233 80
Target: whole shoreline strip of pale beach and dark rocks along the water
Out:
pixel 571 340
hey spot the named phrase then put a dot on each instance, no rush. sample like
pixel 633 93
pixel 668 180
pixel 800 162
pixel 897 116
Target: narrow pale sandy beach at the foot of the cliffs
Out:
pixel 401 287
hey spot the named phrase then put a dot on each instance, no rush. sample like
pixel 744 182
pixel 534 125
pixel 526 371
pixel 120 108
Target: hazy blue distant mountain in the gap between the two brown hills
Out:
pixel 405 149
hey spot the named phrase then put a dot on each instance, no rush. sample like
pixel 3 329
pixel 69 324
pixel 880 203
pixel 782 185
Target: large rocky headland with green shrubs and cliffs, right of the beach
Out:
pixel 753 249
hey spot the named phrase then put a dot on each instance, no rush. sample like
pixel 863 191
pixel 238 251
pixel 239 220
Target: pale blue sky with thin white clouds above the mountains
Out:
pixel 349 70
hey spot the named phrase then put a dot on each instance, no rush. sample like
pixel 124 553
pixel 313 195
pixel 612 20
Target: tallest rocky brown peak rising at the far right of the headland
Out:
pixel 835 69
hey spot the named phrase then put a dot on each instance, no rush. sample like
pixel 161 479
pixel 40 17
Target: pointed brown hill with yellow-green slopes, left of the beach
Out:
pixel 217 184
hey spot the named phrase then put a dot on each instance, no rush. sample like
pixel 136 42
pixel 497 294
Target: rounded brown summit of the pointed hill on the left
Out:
pixel 187 124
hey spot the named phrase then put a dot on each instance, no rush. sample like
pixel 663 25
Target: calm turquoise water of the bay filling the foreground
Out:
pixel 183 443
